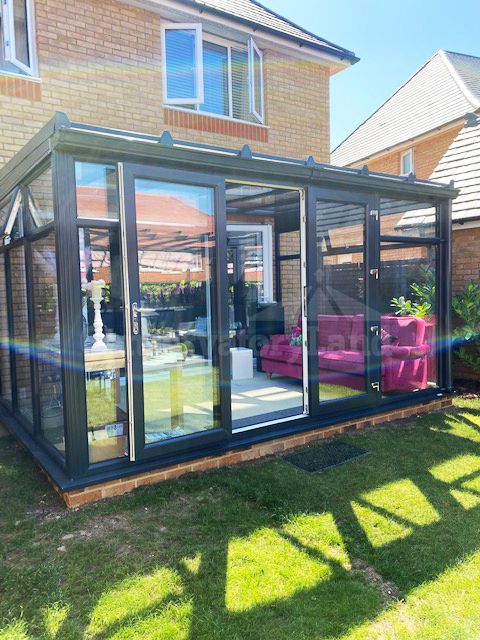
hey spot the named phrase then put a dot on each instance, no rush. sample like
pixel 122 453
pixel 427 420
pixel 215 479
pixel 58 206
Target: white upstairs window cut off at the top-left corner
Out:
pixel 17 36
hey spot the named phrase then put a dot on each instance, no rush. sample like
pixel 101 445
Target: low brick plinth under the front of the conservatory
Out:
pixel 252 452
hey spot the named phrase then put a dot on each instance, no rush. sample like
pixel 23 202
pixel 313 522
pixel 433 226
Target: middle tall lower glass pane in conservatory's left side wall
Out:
pixel 21 334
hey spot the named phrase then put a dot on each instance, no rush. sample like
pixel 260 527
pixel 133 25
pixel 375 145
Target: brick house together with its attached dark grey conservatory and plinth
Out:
pixel 184 282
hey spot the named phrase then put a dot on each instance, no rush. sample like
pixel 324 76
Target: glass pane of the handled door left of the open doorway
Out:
pixel 176 245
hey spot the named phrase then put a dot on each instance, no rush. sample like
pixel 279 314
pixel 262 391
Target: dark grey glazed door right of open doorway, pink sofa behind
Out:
pixel 343 322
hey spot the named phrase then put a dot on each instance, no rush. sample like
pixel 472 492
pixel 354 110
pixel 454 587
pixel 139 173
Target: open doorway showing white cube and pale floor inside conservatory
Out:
pixel 265 301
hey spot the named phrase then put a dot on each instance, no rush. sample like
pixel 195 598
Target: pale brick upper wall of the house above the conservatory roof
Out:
pixel 100 62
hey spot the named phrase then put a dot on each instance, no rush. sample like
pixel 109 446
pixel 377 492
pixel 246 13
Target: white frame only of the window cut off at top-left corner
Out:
pixel 9 46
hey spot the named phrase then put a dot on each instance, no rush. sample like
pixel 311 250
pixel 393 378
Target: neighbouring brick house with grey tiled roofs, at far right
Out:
pixel 430 127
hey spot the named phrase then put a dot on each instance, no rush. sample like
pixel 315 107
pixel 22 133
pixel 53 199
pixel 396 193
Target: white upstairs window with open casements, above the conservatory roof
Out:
pixel 208 75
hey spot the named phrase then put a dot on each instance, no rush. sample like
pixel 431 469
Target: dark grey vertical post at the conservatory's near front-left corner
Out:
pixel 70 314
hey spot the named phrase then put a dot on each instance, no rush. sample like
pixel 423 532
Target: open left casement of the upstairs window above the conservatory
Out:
pixel 182 64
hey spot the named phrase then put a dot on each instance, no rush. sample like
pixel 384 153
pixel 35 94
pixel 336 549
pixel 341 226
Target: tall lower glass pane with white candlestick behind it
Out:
pixel 105 374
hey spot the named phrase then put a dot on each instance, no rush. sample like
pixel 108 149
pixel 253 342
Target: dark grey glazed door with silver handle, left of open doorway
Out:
pixel 173 246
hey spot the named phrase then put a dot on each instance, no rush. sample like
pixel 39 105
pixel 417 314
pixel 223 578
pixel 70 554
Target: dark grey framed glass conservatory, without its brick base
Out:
pixel 163 301
